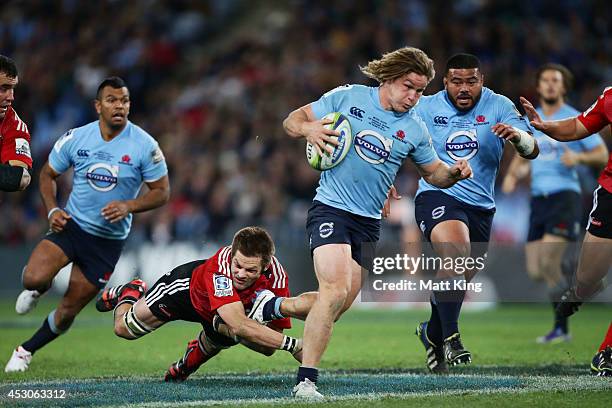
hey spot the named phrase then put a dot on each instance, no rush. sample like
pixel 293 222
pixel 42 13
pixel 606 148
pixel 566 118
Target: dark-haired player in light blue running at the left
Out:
pixel 111 159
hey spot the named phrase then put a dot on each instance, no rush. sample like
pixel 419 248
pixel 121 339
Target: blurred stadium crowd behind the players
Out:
pixel 213 80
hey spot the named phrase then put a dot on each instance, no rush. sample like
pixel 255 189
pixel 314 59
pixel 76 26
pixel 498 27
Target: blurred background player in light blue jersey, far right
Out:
pixel 556 209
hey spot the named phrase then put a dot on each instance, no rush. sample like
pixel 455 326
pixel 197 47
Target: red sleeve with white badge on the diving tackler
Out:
pixel 218 282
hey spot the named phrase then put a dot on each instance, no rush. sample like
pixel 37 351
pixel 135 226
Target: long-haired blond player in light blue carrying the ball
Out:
pixel 347 207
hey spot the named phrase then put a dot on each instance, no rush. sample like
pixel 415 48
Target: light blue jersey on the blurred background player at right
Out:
pixel 548 174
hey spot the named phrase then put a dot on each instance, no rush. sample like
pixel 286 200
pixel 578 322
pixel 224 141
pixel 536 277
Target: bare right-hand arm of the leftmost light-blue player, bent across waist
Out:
pixel 158 195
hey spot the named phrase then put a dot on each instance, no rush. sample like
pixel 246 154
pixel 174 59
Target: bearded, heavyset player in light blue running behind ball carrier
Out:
pixel 466 121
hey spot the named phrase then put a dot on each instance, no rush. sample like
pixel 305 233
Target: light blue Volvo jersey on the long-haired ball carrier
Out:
pixel 382 140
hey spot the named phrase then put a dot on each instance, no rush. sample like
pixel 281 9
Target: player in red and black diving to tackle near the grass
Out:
pixel 217 293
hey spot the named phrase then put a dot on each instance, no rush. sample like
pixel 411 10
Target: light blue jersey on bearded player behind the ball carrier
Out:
pixel 467 135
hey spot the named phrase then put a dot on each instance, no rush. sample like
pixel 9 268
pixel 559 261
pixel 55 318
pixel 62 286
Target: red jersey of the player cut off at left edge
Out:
pixel 15 139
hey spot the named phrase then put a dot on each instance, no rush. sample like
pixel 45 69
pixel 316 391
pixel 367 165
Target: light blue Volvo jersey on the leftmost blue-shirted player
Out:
pixel 106 171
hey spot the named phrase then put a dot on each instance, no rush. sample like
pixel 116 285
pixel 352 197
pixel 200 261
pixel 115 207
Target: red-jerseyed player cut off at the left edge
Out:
pixel 15 157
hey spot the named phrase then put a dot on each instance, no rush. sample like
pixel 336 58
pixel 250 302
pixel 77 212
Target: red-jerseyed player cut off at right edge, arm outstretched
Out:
pixel 596 253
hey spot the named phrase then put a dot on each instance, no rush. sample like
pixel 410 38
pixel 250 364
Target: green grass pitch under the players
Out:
pixel 373 360
